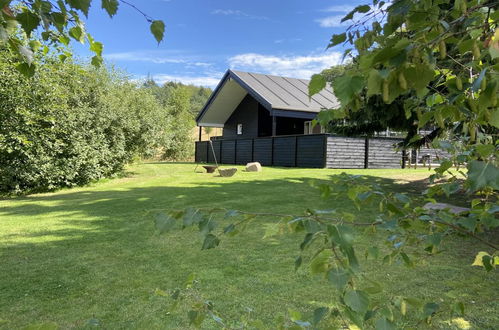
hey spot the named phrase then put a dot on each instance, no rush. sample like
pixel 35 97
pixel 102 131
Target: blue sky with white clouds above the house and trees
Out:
pixel 204 38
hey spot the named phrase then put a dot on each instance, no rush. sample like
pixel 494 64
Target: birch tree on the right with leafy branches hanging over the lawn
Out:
pixel 437 61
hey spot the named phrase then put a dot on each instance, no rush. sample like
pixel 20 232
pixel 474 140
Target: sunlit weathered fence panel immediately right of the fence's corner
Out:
pixel 344 152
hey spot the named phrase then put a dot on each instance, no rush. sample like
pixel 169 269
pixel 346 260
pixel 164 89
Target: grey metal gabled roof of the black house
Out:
pixel 277 94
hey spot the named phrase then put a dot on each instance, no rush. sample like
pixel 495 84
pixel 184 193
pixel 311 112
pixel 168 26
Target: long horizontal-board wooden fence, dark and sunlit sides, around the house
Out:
pixel 313 151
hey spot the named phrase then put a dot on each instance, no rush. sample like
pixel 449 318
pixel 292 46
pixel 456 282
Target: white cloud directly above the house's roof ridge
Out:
pixel 290 66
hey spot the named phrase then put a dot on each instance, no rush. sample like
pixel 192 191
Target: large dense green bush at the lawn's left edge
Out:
pixel 70 125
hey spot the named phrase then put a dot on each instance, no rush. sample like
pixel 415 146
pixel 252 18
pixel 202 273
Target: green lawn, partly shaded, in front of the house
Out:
pixel 92 252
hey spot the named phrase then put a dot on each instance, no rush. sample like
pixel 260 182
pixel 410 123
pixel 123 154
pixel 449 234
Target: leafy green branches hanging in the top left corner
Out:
pixel 60 21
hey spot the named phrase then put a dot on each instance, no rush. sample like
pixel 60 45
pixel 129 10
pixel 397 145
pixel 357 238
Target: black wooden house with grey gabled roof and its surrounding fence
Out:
pixel 268 119
